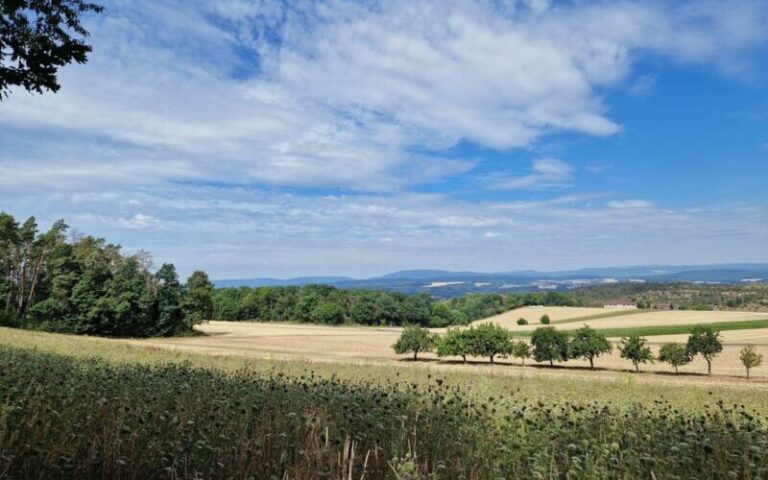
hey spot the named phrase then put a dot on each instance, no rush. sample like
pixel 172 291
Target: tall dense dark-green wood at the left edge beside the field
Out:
pixel 85 285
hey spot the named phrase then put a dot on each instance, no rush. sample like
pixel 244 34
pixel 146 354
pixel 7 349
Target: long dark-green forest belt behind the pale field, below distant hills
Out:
pixel 330 305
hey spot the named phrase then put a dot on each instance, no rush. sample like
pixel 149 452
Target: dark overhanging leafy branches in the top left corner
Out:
pixel 36 38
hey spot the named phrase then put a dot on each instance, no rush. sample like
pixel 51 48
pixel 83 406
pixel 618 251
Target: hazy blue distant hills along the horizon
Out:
pixel 443 283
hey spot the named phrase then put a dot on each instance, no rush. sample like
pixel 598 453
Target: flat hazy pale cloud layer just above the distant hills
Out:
pixel 238 232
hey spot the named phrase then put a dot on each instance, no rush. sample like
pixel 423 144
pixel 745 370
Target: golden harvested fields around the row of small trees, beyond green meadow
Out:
pixel 371 346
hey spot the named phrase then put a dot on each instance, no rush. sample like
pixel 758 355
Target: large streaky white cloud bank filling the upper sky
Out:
pixel 351 88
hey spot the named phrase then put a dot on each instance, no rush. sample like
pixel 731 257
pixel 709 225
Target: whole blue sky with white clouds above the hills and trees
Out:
pixel 262 138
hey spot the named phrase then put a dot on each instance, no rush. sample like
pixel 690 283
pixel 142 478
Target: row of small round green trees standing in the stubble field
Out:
pixel 547 344
